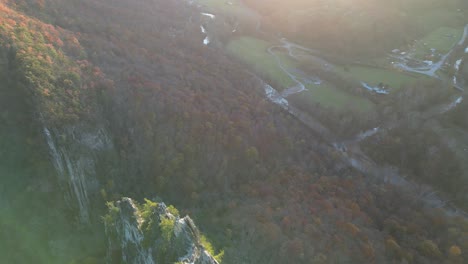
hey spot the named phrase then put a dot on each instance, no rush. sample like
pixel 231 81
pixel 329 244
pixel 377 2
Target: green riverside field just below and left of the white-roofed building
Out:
pixel 332 97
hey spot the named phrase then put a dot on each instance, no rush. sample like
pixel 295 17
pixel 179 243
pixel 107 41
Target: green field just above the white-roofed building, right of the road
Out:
pixel 374 76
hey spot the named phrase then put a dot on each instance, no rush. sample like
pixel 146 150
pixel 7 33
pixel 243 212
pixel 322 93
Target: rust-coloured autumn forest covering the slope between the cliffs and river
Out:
pixel 193 126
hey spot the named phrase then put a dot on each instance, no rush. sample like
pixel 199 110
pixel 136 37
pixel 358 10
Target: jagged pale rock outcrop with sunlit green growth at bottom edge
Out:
pixel 151 233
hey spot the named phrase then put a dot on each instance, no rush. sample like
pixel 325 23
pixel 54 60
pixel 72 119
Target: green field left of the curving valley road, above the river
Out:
pixel 254 52
